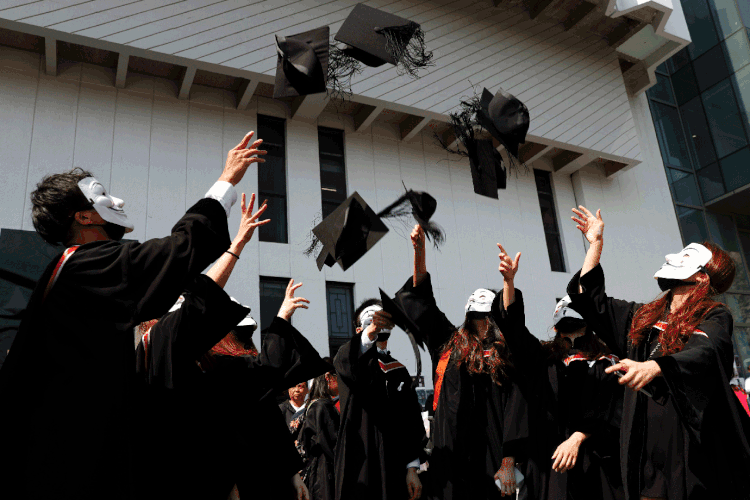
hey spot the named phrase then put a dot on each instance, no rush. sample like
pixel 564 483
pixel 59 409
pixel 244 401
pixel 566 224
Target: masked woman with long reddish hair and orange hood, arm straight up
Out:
pixel 480 422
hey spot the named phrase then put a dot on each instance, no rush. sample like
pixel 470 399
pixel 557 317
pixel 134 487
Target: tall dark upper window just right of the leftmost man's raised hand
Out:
pixel 272 178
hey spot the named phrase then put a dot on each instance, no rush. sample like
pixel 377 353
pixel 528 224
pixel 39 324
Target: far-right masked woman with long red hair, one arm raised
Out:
pixel 683 434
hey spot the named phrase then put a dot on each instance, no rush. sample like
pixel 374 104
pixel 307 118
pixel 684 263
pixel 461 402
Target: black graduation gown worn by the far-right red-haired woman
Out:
pixel 693 403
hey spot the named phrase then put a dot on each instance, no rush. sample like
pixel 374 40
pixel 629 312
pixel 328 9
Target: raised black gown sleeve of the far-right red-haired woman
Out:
pixel 609 318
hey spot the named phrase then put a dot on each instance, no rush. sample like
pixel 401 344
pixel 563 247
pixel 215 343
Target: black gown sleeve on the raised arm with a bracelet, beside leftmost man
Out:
pixel 181 337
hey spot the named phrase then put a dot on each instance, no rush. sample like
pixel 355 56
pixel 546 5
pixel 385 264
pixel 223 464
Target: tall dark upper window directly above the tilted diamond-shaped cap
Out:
pixel 332 168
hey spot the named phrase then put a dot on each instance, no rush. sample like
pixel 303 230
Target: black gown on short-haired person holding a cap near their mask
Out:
pixel 381 427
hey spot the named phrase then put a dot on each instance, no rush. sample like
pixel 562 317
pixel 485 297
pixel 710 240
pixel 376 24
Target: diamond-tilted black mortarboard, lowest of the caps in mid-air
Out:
pixel 348 233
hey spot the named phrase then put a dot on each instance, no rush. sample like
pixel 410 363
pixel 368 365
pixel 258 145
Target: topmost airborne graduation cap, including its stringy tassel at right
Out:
pixel 375 37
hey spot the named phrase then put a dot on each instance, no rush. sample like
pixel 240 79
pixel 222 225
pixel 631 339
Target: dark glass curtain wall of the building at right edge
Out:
pixel 701 111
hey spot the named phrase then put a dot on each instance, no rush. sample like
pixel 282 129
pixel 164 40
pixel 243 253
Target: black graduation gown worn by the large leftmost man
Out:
pixel 67 383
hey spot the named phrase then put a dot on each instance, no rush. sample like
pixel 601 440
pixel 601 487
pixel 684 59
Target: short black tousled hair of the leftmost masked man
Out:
pixel 55 201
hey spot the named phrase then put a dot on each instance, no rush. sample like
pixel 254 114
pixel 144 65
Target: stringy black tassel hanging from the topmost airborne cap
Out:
pixel 406 44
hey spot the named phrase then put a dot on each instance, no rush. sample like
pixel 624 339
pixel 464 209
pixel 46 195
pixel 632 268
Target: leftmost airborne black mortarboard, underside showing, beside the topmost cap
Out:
pixel 302 66
